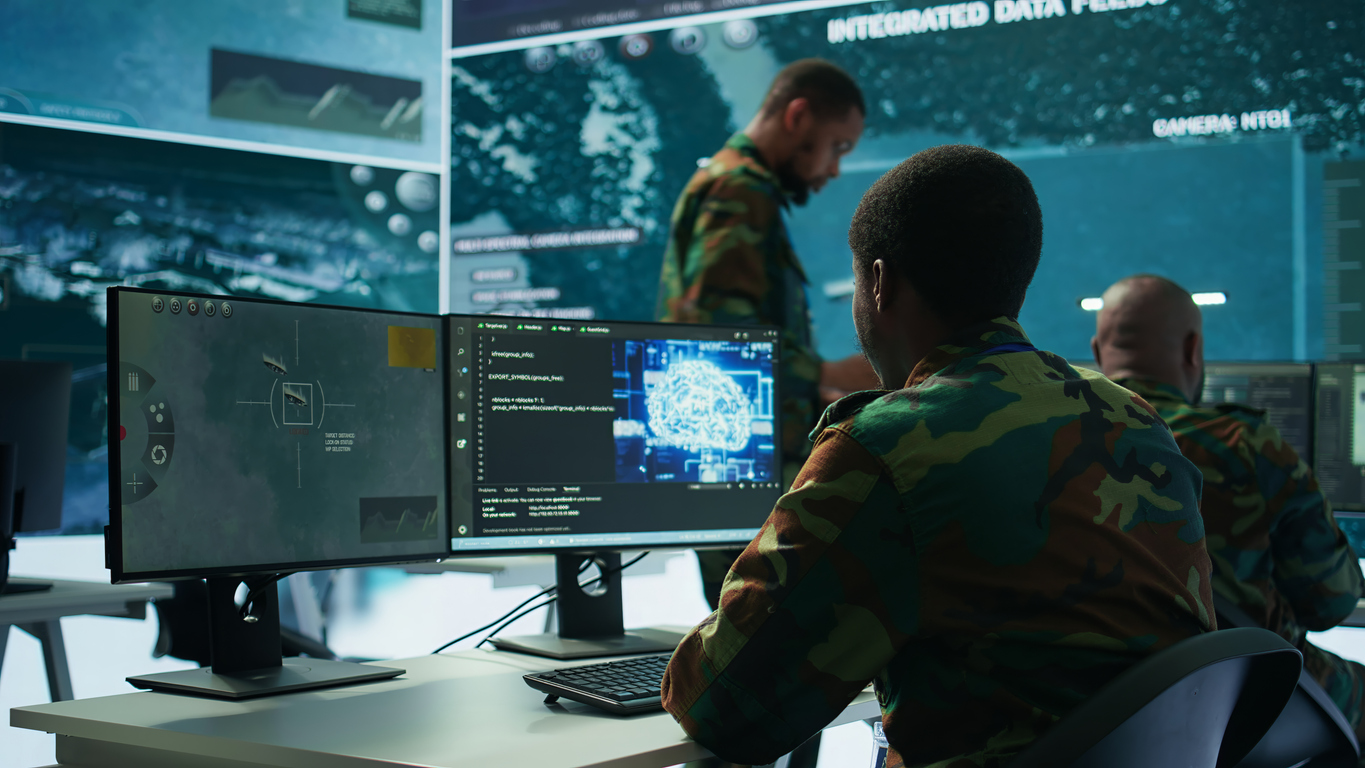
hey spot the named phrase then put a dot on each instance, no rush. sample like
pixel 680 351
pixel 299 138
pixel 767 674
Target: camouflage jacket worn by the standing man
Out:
pixel 731 261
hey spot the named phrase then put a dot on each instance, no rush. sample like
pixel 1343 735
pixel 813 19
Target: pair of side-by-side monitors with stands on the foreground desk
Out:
pixel 257 439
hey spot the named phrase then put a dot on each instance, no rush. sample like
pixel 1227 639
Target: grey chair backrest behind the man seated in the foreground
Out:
pixel 1203 703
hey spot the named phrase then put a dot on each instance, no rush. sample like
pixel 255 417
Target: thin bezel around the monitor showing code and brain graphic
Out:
pixel 631 546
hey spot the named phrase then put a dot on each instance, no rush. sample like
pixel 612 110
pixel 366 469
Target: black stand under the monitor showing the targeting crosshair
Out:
pixel 246 654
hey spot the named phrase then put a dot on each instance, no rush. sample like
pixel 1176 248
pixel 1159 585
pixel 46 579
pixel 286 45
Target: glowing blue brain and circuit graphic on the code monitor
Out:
pixel 694 411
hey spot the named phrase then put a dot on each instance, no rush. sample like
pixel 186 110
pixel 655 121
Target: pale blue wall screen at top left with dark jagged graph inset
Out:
pixel 152 65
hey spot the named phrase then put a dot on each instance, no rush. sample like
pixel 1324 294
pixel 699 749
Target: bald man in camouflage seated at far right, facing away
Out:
pixel 1277 550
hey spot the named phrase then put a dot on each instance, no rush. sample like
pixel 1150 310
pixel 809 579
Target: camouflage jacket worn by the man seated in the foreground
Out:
pixel 990 545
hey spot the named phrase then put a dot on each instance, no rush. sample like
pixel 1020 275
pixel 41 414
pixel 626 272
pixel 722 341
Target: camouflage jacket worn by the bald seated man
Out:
pixel 1277 550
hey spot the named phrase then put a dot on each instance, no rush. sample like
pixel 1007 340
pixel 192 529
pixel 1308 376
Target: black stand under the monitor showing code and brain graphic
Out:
pixel 592 621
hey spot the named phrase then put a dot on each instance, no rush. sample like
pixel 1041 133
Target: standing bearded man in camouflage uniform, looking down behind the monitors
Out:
pixel 731 260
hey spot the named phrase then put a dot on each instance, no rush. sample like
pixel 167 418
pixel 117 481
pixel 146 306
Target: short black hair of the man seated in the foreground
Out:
pixel 962 224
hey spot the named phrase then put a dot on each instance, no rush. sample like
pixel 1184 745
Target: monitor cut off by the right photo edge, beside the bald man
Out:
pixel 1340 456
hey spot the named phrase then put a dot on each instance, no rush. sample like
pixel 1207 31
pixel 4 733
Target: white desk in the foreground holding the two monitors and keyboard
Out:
pixel 468 710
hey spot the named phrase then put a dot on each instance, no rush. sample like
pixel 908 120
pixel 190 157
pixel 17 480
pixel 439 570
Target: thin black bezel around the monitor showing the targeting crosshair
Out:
pixel 114 533
